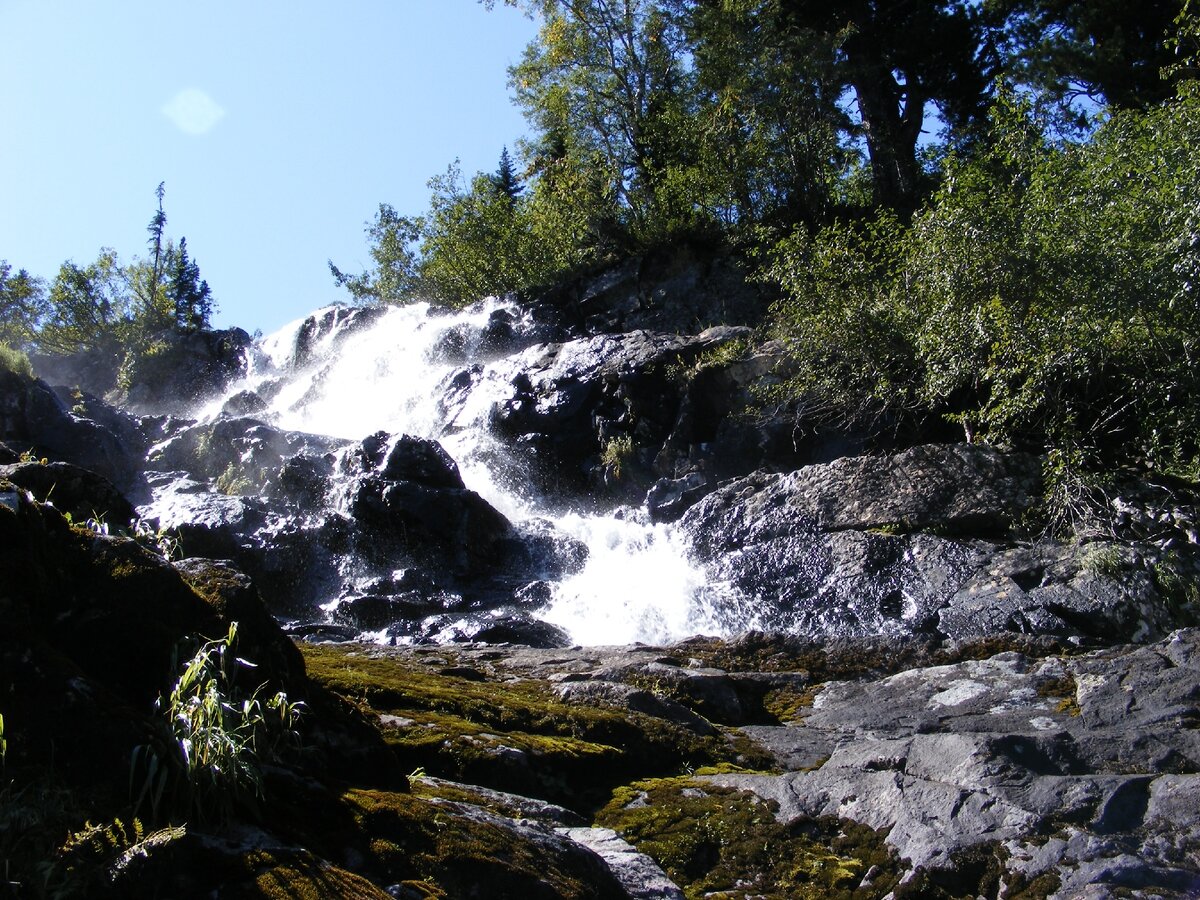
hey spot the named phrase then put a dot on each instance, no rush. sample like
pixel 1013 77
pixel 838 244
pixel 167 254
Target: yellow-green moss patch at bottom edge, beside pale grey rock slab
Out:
pixel 717 842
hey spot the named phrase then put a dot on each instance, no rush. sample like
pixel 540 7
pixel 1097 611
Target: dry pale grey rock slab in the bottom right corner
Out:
pixel 1097 752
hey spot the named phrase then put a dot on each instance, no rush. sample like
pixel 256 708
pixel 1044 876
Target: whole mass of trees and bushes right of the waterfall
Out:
pixel 988 267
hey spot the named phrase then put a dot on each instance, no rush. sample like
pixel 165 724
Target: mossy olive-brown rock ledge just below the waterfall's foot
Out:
pixel 514 735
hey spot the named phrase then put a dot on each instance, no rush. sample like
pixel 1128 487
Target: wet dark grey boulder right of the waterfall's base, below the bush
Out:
pixel 921 542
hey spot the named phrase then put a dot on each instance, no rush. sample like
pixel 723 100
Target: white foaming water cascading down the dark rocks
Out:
pixel 638 584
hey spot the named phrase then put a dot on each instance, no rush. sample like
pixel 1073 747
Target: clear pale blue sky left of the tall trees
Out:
pixel 278 128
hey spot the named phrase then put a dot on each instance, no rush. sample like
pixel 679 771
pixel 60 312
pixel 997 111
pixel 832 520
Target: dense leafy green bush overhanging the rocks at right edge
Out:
pixel 1045 299
